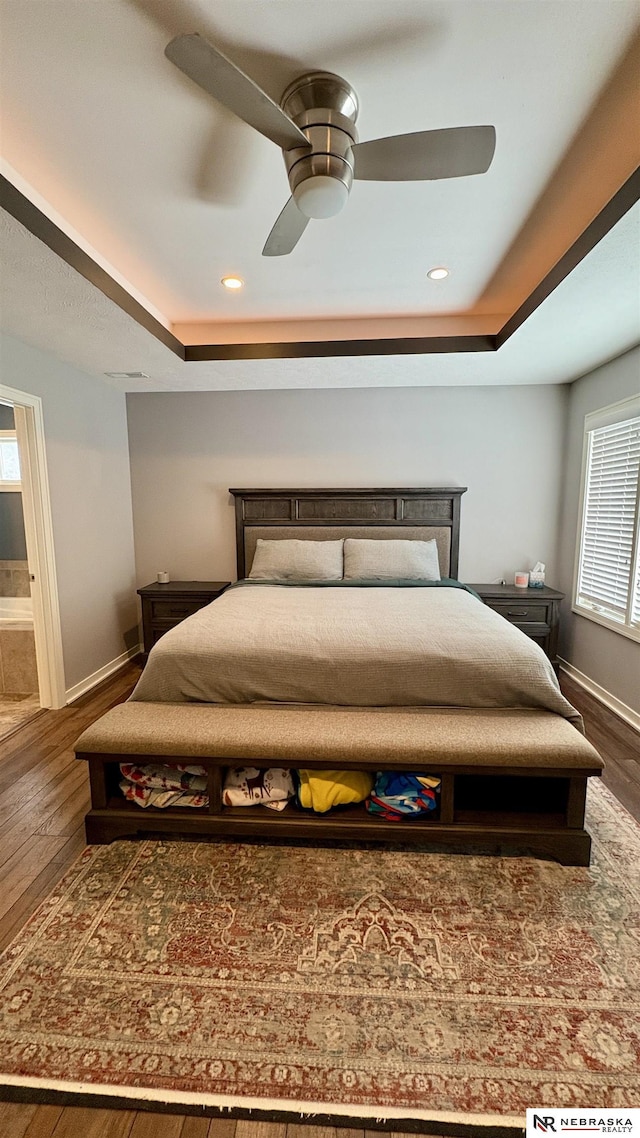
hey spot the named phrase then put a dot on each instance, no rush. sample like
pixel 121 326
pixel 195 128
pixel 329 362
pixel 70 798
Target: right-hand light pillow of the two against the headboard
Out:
pixel 387 560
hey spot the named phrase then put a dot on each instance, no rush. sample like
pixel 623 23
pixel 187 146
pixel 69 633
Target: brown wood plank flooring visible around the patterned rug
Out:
pixel 44 798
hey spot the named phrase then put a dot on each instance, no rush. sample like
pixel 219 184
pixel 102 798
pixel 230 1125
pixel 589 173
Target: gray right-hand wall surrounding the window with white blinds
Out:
pixel 611 661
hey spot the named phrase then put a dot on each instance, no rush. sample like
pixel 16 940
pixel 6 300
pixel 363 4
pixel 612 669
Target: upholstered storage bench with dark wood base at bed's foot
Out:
pixel 515 778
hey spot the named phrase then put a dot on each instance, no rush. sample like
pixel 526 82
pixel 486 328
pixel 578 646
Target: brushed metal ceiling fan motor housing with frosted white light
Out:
pixel 325 108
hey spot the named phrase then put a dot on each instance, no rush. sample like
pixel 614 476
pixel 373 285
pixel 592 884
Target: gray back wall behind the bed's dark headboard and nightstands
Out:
pixel 504 443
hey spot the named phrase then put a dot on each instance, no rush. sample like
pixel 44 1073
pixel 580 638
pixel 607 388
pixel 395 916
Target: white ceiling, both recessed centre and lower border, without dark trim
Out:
pixel 173 192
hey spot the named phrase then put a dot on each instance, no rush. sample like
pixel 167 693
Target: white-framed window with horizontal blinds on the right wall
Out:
pixel 608 587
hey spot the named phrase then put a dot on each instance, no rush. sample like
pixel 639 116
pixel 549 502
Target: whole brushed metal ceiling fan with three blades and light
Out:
pixel 315 126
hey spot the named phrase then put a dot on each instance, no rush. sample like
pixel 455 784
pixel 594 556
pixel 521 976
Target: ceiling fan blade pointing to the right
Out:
pixel 453 153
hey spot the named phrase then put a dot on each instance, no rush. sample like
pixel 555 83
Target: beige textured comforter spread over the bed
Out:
pixel 355 647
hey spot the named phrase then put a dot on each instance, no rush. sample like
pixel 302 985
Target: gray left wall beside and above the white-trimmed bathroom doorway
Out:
pixel 91 488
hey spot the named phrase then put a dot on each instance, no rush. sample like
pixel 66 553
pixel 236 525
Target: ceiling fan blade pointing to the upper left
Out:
pixel 208 68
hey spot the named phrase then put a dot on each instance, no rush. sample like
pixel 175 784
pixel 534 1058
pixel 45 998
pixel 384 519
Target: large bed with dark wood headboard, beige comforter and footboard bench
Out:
pixel 358 674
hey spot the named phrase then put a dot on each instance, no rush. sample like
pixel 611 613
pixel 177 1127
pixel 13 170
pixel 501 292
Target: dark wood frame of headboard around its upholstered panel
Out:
pixel 408 507
